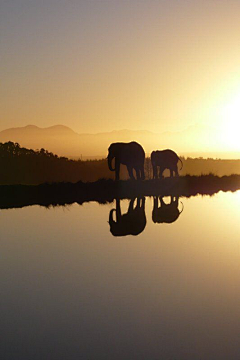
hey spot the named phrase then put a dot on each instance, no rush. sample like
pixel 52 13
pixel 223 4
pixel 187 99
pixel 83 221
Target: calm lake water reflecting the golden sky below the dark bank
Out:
pixel 70 289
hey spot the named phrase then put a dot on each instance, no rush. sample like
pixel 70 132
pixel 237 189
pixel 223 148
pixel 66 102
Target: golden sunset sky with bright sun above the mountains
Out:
pixel 107 65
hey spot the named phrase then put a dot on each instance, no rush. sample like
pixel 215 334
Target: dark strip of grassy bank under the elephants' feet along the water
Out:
pixel 103 191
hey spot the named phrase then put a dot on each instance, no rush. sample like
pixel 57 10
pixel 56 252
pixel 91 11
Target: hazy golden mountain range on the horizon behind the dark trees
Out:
pixel 62 140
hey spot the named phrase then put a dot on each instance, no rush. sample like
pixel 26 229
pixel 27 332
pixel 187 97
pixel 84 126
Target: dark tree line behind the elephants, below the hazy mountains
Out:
pixel 19 165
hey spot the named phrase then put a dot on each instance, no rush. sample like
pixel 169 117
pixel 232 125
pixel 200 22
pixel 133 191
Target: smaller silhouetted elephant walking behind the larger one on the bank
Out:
pixel 165 159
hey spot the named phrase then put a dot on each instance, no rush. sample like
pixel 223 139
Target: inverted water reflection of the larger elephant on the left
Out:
pixel 131 223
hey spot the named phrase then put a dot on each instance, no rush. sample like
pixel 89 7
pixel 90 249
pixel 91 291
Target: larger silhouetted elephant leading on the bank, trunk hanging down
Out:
pixel 130 154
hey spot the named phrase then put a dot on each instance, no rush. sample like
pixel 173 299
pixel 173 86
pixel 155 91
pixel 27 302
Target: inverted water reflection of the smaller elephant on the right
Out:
pixel 166 213
